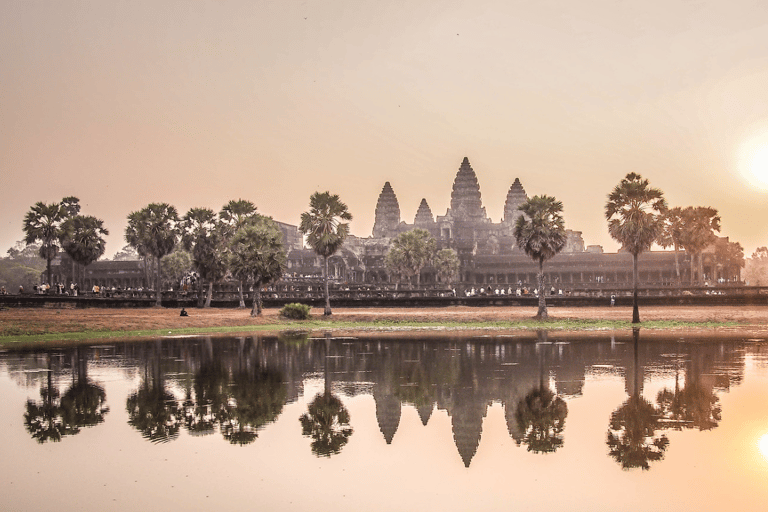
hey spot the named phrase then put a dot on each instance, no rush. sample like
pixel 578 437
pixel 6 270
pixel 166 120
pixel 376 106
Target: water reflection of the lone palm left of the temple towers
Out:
pixel 326 420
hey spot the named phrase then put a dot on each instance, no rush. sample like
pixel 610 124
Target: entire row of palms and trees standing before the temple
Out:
pixel 241 243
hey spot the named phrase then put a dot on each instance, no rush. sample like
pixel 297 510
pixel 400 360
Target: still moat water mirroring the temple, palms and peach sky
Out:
pixel 540 422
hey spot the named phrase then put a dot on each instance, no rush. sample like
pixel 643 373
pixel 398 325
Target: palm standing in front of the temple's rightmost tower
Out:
pixel 540 232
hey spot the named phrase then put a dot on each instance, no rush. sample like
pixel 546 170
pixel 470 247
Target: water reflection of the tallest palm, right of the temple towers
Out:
pixel 632 438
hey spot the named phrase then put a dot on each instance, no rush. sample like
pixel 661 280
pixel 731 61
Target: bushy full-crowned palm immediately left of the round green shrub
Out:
pixel 257 255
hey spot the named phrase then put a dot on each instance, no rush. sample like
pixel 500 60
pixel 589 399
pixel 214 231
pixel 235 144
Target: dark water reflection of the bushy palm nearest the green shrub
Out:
pixel 256 400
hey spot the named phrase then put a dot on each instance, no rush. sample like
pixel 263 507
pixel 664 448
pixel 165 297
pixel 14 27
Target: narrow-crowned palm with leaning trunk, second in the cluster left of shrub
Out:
pixel 202 236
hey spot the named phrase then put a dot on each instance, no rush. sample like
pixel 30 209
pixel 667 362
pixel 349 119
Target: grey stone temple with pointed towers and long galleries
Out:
pixel 487 250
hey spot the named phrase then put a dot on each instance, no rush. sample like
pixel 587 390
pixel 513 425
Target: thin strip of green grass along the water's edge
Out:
pixel 43 338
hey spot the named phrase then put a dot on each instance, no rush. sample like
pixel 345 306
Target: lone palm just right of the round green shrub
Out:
pixel 325 231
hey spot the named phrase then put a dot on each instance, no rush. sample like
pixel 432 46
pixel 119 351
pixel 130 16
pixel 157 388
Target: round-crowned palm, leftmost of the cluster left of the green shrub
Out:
pixel 153 231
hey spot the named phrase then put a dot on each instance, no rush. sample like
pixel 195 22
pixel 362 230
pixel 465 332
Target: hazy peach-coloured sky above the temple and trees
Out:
pixel 123 103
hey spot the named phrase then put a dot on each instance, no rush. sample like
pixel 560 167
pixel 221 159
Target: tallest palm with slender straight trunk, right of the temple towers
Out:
pixel 634 213
